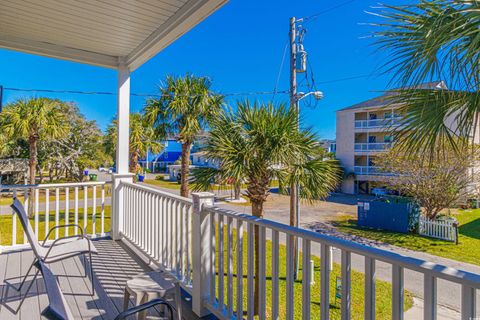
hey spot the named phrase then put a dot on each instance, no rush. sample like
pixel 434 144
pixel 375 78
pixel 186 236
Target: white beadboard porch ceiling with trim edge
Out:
pixel 99 32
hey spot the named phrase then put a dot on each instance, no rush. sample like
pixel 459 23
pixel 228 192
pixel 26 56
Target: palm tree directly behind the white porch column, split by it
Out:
pixel 142 139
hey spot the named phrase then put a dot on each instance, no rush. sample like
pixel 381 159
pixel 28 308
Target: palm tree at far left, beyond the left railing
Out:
pixel 34 120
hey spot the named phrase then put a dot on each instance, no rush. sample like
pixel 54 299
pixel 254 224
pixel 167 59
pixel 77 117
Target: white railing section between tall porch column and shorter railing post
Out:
pixel 159 224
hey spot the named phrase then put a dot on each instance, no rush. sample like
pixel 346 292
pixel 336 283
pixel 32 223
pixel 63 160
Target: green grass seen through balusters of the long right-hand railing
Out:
pixel 383 289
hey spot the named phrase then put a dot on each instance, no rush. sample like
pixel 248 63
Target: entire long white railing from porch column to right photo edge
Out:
pixel 209 249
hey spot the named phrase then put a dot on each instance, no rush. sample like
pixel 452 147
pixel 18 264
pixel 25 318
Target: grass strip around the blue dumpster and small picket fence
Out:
pixel 467 250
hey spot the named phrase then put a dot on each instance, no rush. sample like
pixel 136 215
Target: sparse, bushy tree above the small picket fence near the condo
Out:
pixel 436 182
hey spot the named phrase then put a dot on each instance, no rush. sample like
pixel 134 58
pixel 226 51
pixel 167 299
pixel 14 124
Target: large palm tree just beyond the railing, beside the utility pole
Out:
pixel 260 143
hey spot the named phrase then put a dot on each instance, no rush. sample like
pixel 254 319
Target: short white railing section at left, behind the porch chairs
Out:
pixel 55 204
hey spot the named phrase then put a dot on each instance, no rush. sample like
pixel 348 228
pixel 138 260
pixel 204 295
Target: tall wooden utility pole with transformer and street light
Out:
pixel 294 196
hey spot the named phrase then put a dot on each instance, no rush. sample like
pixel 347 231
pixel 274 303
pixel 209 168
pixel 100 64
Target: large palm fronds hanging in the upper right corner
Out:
pixel 427 41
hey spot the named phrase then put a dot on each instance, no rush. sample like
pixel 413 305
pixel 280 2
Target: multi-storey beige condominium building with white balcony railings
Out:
pixel 362 133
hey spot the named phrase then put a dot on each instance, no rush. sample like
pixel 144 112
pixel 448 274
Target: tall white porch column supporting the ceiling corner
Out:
pixel 122 156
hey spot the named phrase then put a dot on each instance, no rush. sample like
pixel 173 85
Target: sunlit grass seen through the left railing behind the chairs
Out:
pixel 6 224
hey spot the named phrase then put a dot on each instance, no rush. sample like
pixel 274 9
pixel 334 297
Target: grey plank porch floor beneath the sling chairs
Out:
pixel 113 266
